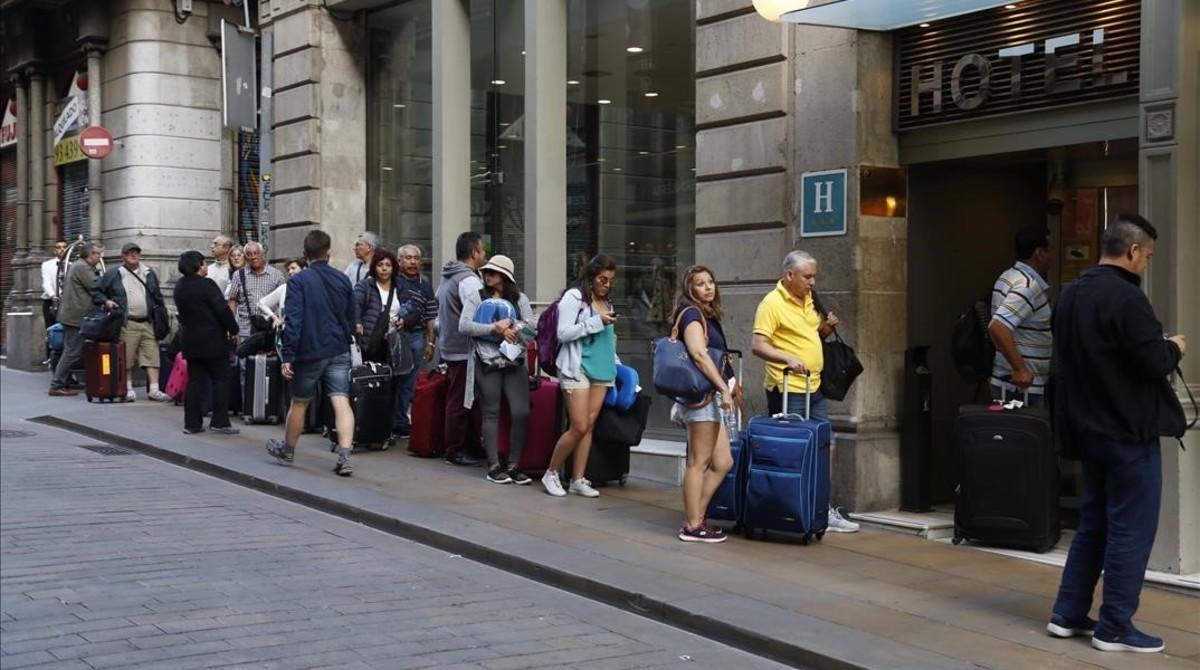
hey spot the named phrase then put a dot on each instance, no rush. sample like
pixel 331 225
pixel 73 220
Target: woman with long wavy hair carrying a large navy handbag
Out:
pixel 698 316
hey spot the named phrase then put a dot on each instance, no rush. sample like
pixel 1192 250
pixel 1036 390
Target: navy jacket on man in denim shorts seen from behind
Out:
pixel 320 313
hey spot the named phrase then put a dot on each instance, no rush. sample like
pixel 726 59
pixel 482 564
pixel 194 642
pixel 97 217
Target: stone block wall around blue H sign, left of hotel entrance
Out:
pixel 772 103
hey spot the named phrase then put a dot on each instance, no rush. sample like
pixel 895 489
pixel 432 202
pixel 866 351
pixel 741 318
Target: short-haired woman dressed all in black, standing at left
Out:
pixel 206 332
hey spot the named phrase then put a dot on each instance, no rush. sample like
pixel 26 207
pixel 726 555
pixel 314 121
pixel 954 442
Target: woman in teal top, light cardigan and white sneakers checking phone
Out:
pixel 587 367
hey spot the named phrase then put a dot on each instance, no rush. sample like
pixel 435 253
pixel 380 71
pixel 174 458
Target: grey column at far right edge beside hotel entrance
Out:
pixel 1169 157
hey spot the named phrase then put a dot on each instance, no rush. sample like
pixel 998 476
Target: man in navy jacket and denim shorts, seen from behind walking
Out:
pixel 316 348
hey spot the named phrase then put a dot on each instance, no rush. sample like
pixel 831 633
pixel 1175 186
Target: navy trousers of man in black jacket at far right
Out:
pixel 1118 523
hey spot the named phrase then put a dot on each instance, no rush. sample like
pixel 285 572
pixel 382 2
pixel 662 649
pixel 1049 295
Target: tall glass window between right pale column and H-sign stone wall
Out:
pixel 632 159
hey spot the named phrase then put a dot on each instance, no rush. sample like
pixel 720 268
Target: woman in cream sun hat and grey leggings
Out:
pixel 494 376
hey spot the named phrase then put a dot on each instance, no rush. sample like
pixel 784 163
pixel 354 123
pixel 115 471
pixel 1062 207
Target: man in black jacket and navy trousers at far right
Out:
pixel 1111 361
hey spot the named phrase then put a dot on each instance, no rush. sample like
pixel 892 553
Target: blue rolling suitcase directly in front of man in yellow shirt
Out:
pixel 788 475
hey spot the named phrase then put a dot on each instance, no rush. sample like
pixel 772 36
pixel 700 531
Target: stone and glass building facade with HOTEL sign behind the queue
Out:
pixel 695 133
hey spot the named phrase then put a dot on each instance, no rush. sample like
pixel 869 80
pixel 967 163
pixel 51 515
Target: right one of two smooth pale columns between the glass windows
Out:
pixel 545 148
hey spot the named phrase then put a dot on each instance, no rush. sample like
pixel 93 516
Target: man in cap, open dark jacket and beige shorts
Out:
pixel 134 289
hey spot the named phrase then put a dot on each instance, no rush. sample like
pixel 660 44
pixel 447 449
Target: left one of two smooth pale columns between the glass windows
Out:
pixel 452 128
